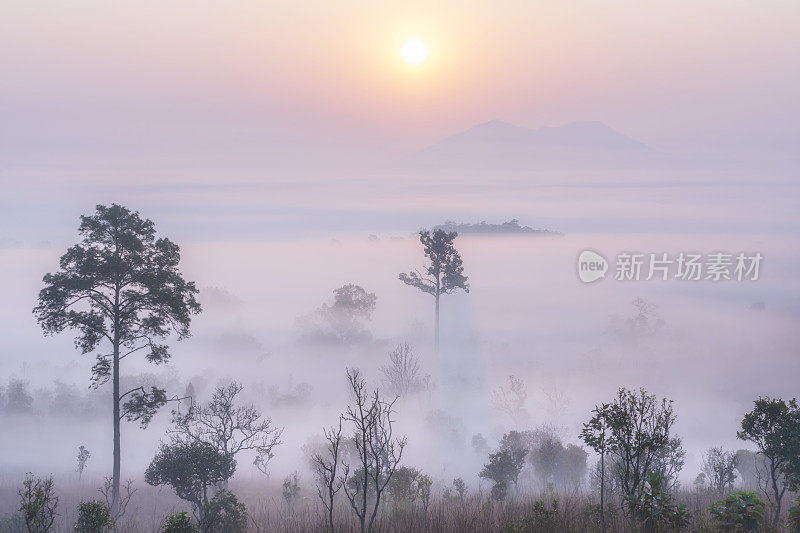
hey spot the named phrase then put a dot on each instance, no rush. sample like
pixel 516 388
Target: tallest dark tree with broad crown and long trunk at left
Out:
pixel 120 287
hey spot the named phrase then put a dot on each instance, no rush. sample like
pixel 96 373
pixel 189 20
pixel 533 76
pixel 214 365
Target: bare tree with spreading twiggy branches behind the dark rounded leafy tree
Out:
pixel 229 427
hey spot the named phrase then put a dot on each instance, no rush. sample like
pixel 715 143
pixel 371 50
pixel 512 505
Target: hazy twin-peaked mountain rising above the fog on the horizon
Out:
pixel 498 145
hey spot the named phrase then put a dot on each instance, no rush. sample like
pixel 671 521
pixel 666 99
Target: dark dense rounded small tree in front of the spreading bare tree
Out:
pixel 192 469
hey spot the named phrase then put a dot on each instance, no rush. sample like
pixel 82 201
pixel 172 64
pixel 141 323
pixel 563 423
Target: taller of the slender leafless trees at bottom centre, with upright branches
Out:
pixel 378 451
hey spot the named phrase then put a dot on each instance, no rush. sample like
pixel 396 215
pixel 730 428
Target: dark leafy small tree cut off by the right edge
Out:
pixel 774 426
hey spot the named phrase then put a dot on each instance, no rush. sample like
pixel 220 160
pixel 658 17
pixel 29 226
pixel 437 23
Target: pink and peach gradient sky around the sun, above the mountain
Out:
pixel 86 79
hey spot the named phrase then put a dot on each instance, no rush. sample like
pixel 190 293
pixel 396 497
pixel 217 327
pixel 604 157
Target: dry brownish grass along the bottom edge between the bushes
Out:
pixel 268 512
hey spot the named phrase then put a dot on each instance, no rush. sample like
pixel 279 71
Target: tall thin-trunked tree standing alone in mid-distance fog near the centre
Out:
pixel 444 274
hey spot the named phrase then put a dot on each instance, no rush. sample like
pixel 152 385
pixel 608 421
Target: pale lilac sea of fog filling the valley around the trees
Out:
pixel 265 254
